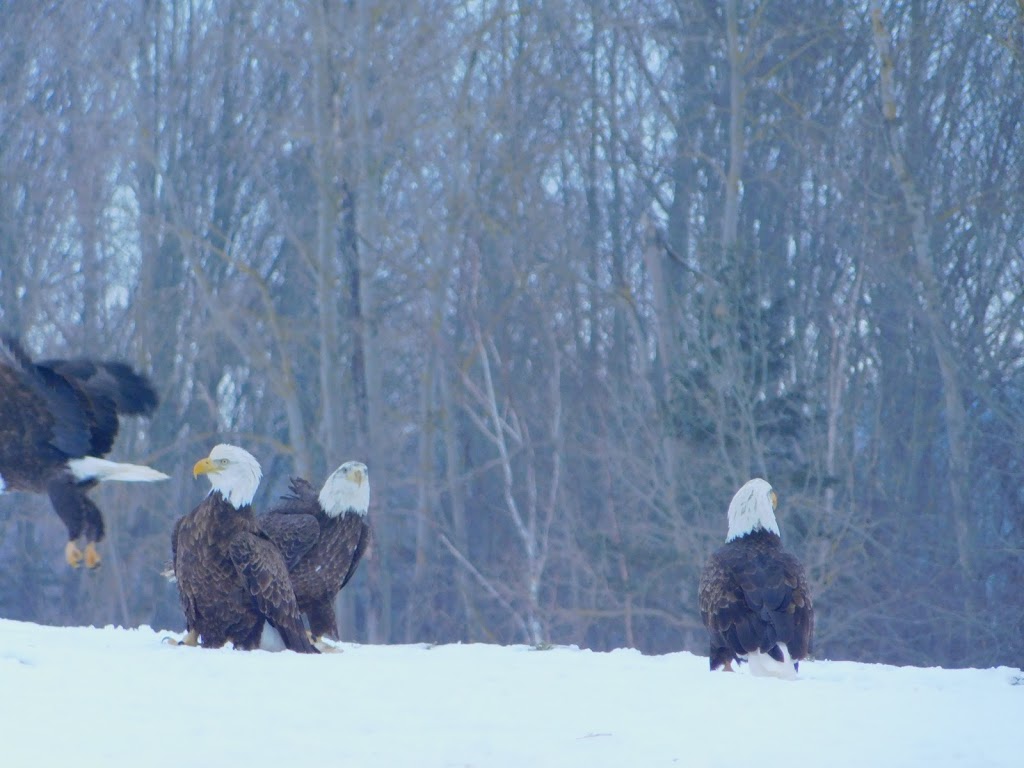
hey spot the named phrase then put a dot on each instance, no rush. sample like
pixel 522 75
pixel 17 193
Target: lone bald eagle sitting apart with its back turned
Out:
pixel 754 596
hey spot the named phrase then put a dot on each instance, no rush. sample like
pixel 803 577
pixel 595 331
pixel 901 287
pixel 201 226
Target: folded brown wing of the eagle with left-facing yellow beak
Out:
pixel 264 572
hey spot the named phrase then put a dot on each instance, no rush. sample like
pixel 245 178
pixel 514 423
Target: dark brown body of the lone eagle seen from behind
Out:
pixel 753 596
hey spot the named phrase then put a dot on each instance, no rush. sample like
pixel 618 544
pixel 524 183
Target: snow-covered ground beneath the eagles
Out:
pixel 111 697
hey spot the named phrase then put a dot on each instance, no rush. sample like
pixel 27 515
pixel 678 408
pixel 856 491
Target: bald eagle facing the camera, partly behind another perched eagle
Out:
pixel 323 538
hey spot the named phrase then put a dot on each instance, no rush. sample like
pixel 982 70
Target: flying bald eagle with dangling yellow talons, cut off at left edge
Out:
pixel 58 419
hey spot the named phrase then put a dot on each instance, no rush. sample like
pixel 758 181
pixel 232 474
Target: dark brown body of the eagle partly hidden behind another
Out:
pixel 322 552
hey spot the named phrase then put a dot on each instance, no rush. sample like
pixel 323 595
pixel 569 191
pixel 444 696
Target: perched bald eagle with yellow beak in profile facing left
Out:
pixel 232 579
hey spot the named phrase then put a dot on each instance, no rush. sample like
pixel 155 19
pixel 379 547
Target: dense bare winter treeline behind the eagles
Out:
pixel 565 275
